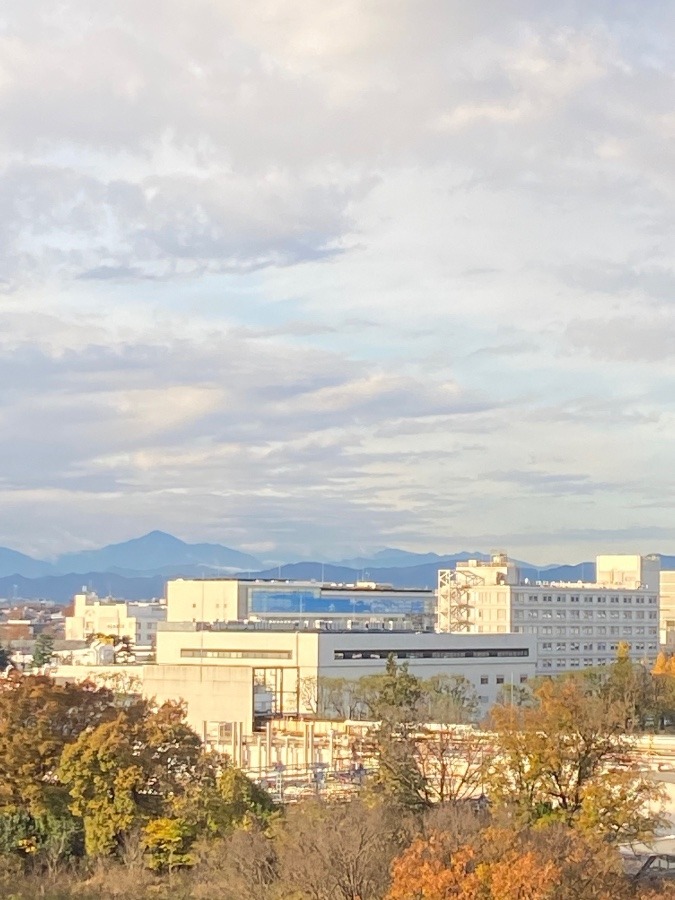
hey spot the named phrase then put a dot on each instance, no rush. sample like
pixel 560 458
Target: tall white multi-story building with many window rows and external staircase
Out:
pixel 576 625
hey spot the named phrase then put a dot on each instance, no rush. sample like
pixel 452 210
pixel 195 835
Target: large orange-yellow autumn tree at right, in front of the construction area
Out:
pixel 568 760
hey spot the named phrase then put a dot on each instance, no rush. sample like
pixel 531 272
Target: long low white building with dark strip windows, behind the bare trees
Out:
pixel 245 674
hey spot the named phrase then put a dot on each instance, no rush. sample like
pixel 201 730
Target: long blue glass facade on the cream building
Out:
pixel 301 601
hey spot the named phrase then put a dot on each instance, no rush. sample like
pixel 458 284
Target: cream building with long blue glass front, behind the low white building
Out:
pixel 298 602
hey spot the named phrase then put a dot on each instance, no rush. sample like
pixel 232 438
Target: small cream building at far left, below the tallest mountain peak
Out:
pixel 136 620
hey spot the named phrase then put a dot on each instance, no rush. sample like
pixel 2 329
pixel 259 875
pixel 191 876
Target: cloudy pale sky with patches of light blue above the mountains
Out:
pixel 310 279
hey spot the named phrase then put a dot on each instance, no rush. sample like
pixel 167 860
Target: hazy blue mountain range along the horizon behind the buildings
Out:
pixel 139 568
